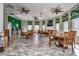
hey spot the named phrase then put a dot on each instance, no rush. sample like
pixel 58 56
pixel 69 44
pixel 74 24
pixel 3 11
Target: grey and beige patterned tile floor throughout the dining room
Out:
pixel 38 46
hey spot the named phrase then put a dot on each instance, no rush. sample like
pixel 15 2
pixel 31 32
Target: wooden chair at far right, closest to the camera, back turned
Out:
pixel 69 39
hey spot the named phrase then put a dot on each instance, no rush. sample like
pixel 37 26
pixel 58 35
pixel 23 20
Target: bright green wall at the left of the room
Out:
pixel 15 23
